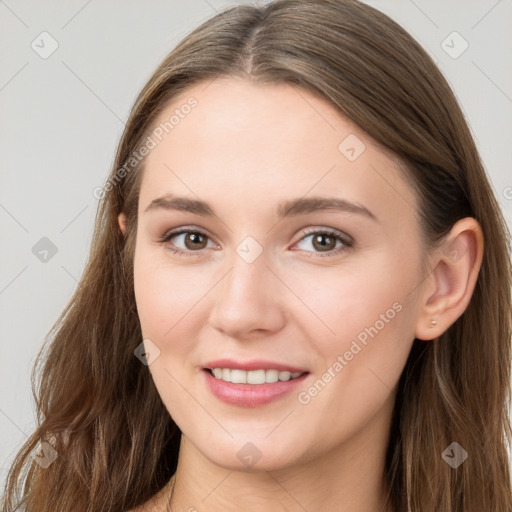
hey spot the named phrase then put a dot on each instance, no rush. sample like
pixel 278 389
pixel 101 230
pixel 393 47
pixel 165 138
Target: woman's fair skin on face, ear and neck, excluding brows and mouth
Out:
pixel 244 149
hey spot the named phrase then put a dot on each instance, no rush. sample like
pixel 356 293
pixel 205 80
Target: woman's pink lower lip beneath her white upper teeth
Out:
pixel 251 395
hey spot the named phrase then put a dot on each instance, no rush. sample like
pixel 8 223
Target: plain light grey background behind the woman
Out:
pixel 61 118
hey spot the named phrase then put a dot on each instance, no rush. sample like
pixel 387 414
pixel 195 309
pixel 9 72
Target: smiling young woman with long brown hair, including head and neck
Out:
pixel 298 293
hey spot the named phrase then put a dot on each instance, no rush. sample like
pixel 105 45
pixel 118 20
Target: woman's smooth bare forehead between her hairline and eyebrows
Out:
pixel 267 142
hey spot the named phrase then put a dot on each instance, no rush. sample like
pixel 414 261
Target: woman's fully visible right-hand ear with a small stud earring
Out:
pixel 450 285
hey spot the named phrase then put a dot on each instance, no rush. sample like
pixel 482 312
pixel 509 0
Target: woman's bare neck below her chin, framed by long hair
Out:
pixel 350 478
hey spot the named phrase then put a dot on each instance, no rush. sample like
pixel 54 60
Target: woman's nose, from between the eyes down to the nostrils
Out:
pixel 249 300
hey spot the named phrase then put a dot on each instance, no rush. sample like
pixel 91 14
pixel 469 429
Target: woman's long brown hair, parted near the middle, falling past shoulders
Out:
pixel 97 406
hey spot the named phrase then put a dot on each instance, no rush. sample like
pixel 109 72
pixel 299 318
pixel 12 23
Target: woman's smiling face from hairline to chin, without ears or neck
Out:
pixel 273 278
